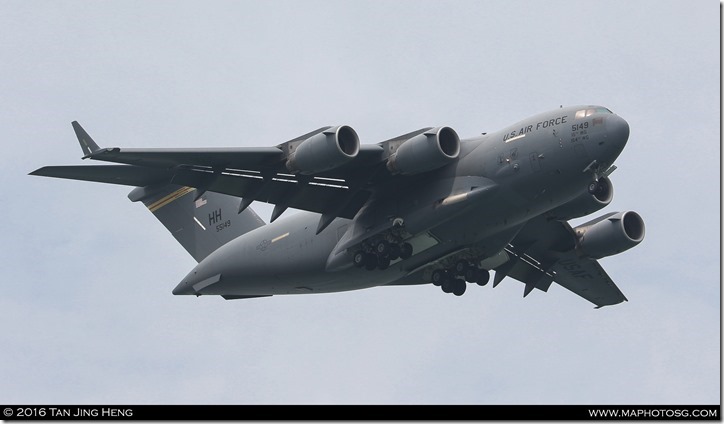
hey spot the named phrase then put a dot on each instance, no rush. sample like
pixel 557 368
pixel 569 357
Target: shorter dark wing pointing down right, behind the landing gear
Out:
pixel 544 252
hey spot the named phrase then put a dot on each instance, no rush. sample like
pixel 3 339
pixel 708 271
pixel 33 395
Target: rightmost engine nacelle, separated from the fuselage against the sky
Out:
pixel 611 234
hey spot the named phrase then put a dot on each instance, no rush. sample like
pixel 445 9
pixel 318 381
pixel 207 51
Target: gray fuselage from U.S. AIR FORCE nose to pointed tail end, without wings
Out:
pixel 528 168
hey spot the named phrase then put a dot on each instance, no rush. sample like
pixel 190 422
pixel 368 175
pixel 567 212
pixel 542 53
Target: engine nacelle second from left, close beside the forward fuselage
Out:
pixel 425 152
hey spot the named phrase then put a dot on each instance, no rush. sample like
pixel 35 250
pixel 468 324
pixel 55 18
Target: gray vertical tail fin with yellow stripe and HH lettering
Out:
pixel 202 225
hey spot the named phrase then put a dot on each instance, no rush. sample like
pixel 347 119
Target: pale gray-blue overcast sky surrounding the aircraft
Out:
pixel 87 310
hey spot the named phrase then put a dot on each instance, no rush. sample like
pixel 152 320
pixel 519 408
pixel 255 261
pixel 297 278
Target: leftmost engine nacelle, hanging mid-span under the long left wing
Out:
pixel 321 152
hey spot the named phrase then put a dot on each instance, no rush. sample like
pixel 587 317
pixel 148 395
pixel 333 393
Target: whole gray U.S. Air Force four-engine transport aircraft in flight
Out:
pixel 421 208
